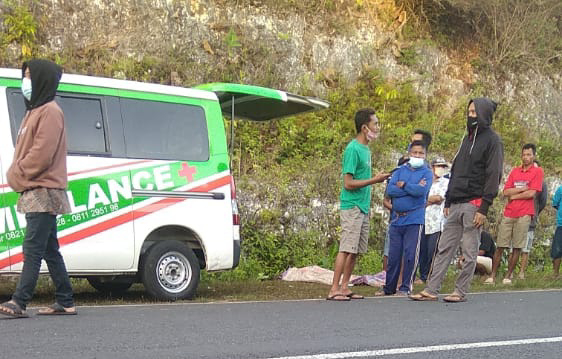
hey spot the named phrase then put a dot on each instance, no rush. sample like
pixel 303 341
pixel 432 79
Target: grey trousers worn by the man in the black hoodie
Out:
pixel 458 230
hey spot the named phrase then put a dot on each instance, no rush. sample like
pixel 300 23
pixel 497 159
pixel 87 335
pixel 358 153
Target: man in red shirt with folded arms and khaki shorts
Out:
pixel 520 188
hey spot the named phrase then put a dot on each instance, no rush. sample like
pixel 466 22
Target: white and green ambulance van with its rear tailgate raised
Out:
pixel 152 195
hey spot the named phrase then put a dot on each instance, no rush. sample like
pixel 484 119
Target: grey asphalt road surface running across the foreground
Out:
pixel 318 329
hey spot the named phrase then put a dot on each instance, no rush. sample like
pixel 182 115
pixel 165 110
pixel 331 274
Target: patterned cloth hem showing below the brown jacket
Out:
pixel 51 200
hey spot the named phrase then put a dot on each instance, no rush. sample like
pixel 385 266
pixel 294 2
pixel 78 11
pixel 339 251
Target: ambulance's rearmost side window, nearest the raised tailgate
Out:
pixel 164 131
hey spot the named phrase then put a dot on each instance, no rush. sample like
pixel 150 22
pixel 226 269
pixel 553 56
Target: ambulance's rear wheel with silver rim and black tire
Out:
pixel 170 271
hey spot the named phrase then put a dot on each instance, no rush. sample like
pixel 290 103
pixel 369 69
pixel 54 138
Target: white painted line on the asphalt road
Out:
pixel 433 348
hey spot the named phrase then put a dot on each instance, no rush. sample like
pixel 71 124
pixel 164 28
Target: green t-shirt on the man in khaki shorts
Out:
pixel 357 162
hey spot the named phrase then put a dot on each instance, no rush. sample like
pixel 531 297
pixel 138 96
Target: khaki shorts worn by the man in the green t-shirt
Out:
pixel 355 231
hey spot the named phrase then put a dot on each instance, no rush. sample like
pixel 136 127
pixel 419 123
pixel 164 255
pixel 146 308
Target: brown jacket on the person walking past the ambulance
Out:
pixel 40 154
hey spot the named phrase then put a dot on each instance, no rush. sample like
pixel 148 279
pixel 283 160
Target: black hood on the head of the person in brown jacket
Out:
pixel 45 77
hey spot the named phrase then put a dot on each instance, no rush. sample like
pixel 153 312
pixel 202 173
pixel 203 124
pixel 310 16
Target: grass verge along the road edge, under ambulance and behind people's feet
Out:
pixel 252 290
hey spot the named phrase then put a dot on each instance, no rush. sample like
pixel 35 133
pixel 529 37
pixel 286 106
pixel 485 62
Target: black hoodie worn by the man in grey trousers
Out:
pixel 477 167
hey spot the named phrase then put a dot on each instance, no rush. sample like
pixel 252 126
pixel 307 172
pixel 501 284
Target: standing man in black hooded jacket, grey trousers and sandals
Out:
pixel 475 178
